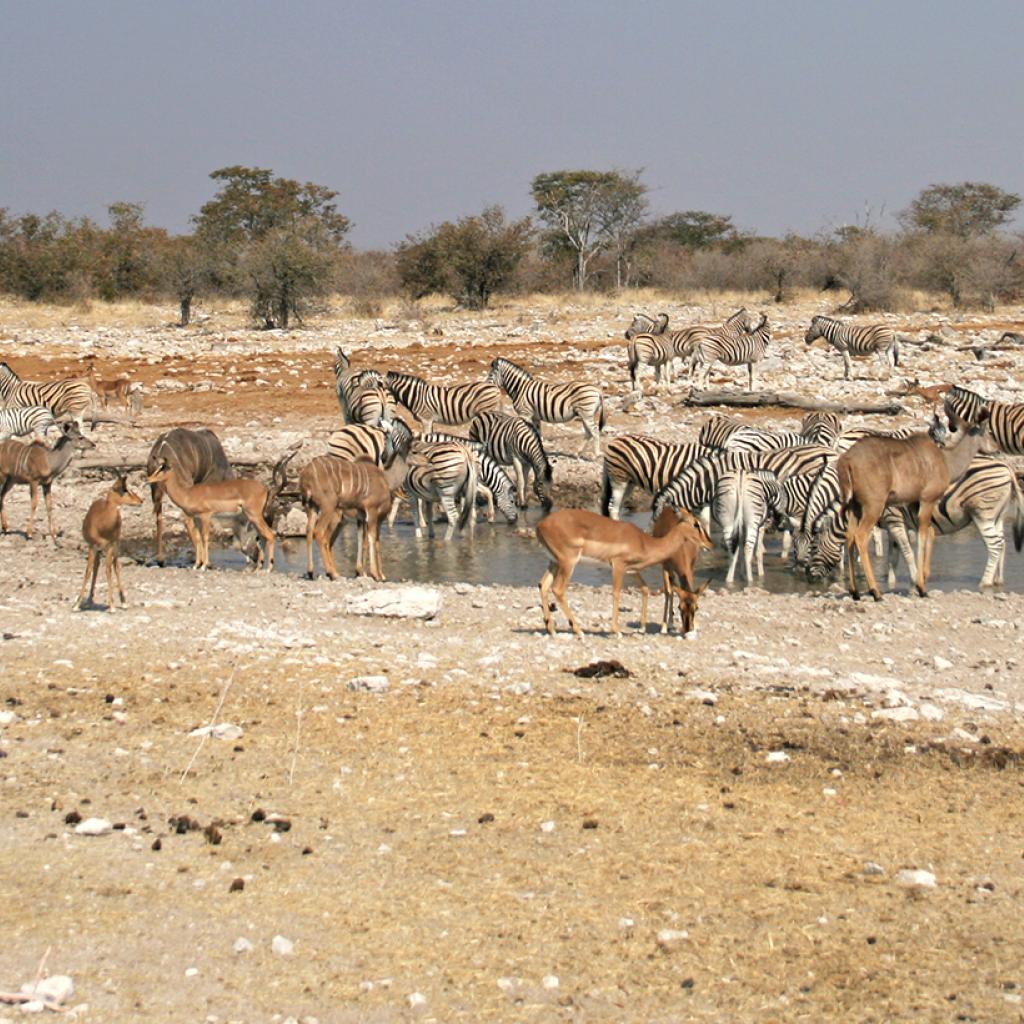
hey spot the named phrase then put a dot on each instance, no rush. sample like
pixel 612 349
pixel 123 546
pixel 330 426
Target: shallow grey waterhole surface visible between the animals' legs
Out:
pixel 511 557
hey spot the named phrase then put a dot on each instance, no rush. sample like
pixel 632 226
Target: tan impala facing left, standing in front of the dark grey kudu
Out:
pixel 203 501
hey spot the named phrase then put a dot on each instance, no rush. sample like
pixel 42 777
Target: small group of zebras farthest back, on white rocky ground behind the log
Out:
pixel 739 342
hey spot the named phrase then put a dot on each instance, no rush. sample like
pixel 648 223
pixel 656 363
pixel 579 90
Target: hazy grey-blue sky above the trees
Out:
pixel 786 115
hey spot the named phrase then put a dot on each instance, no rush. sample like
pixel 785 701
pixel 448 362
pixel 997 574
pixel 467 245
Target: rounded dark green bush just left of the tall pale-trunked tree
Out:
pixel 472 259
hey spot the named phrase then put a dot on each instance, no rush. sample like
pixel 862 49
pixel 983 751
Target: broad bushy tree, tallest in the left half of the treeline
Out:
pixel 274 239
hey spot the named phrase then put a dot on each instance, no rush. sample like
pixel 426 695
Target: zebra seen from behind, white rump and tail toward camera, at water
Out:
pixel 743 504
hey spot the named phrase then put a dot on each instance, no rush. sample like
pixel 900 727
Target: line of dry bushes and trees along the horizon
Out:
pixel 282 245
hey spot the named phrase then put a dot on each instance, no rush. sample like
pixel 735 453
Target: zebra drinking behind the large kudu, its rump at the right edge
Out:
pixel 983 496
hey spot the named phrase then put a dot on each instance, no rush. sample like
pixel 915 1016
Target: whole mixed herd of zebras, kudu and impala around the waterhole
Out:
pixel 825 488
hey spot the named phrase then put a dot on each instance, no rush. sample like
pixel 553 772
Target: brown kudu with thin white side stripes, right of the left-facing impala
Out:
pixel 329 488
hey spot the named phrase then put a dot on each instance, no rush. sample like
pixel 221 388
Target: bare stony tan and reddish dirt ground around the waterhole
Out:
pixel 718 836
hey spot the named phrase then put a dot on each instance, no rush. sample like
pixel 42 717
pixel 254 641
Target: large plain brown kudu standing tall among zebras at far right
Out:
pixel 881 472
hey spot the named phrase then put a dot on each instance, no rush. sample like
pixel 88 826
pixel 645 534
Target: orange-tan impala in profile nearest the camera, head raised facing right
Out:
pixel 574 534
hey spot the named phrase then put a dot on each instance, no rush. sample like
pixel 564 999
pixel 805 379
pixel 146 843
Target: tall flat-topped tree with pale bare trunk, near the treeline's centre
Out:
pixel 590 211
